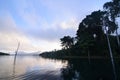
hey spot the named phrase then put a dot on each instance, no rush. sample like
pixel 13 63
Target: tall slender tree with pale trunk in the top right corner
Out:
pixel 113 11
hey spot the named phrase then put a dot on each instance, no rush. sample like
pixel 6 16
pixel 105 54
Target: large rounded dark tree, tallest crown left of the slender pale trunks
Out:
pixel 91 30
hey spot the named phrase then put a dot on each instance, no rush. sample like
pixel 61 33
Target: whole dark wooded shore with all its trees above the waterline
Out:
pixel 96 35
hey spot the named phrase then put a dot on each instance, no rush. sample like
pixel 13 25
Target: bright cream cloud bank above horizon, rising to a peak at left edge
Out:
pixel 11 34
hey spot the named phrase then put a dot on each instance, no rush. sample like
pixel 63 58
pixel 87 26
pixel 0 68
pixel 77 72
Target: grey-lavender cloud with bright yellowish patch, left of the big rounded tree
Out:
pixel 55 31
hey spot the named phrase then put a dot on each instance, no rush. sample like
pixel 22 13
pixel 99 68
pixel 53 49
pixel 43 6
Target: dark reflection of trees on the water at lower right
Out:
pixel 80 69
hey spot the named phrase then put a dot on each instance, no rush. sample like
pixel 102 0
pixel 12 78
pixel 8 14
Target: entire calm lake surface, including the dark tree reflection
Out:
pixel 38 68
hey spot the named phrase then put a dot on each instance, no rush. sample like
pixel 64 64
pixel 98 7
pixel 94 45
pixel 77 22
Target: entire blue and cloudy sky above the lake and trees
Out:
pixel 39 24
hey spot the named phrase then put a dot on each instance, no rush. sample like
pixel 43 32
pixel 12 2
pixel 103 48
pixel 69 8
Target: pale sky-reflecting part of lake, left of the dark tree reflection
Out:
pixel 30 68
